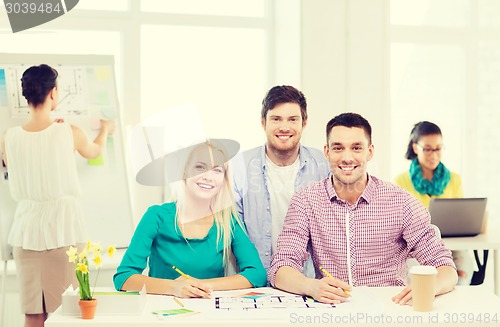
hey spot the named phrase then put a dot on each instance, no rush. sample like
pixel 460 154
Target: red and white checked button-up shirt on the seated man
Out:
pixel 386 226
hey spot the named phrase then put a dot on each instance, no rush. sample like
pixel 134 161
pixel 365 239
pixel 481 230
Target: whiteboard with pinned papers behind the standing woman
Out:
pixel 87 92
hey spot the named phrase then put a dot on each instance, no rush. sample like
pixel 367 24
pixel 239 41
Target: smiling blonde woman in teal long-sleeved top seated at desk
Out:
pixel 196 233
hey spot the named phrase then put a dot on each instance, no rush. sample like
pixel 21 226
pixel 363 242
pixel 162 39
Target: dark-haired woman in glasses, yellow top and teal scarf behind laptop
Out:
pixel 429 178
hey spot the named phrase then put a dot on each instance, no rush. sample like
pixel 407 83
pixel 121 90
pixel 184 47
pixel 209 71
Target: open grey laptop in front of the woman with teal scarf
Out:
pixel 458 217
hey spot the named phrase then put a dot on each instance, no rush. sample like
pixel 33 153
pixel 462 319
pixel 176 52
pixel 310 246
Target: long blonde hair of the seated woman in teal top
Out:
pixel 222 204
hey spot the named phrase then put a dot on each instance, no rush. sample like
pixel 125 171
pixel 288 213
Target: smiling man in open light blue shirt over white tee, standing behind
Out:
pixel 266 177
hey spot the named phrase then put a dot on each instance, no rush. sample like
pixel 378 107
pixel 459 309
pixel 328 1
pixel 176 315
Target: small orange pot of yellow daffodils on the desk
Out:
pixel 91 252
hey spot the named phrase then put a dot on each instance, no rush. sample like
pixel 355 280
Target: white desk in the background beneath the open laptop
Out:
pixel 488 241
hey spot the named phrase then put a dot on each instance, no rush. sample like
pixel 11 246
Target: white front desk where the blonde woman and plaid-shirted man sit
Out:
pixel 466 305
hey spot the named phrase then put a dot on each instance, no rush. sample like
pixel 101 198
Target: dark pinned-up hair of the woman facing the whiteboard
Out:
pixel 37 81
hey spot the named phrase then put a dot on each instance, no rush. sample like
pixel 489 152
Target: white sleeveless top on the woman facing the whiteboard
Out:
pixel 43 179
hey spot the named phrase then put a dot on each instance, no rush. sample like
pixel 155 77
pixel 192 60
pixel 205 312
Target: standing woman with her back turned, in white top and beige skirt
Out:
pixel 43 180
